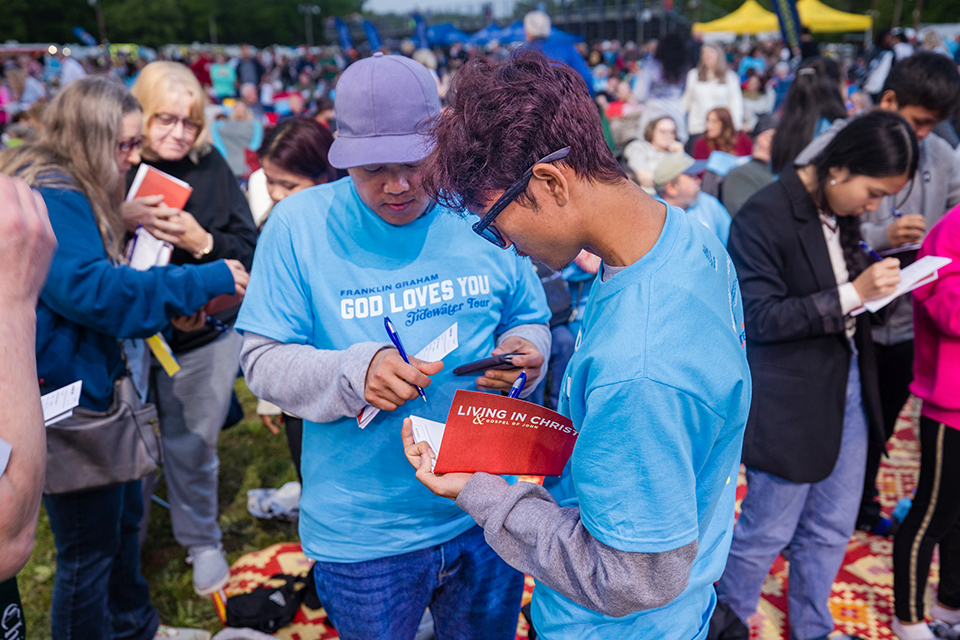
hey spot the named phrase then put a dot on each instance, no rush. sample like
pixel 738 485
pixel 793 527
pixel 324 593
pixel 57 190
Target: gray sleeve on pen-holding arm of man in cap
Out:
pixel 315 384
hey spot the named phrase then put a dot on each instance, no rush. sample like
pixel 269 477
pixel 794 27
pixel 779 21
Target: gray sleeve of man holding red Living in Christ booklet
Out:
pixel 532 533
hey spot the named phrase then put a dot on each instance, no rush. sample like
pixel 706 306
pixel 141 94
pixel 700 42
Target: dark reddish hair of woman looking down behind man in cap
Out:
pixel 300 145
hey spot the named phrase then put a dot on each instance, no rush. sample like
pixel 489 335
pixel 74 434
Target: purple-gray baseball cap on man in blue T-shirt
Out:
pixel 384 105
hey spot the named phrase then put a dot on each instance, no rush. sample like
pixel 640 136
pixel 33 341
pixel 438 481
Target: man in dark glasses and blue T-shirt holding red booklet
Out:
pixel 629 541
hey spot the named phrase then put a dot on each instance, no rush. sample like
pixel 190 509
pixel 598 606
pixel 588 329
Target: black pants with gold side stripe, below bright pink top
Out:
pixel 934 519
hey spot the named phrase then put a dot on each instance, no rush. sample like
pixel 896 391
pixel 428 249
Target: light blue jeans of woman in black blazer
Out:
pixel 815 520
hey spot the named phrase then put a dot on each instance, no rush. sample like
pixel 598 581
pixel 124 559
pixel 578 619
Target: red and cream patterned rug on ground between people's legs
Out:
pixel 862 598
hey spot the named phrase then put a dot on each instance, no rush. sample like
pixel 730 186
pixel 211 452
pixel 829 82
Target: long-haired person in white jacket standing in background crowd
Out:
pixel 712 84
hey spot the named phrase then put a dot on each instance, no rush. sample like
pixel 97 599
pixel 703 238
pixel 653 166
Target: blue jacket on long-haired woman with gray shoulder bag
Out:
pixel 88 302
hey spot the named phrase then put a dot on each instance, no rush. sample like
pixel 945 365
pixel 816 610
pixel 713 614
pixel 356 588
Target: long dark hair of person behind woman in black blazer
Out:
pixel 814 94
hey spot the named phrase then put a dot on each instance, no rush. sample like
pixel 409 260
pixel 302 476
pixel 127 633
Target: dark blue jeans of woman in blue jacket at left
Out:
pixel 98 592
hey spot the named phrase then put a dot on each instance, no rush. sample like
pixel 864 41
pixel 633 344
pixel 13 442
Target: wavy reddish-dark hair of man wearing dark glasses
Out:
pixel 503 117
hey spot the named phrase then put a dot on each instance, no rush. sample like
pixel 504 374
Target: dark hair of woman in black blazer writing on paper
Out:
pixel 879 144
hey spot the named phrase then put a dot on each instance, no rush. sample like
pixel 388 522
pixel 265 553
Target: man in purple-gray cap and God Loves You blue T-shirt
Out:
pixel 333 262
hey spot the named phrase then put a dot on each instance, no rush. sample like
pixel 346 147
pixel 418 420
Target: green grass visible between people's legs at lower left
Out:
pixel 250 457
